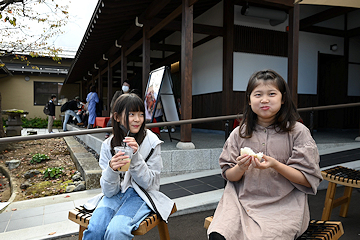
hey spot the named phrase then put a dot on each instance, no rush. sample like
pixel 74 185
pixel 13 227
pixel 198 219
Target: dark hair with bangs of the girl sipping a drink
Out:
pixel 128 102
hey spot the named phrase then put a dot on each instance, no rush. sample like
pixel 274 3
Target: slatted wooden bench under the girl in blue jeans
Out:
pixel 82 217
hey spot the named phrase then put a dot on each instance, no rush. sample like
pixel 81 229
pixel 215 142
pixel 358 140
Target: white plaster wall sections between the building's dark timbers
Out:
pixel 207 59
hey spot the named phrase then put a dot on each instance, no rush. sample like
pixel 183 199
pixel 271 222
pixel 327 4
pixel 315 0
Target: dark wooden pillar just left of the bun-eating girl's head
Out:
pixel 228 57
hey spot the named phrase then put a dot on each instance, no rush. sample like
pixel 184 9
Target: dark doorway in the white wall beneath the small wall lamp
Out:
pixel 332 89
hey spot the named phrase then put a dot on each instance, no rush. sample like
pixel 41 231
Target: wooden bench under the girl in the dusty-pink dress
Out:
pixel 322 230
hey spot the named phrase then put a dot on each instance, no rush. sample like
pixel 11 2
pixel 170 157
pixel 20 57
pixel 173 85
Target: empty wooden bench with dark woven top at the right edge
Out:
pixel 344 176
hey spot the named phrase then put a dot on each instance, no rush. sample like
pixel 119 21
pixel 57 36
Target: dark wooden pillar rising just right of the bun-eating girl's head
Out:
pixel 293 51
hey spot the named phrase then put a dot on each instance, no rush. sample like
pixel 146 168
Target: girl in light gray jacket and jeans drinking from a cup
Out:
pixel 129 196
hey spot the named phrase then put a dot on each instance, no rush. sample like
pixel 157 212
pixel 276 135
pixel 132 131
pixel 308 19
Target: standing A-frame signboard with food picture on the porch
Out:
pixel 159 88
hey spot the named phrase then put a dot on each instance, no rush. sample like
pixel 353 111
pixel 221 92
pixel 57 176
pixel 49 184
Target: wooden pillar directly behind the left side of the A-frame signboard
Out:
pixel 145 59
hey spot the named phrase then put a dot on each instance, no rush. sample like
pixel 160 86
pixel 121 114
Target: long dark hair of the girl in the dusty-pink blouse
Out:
pixel 285 118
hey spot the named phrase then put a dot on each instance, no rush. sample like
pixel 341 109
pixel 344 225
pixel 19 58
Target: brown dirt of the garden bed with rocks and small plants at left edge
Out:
pixel 55 149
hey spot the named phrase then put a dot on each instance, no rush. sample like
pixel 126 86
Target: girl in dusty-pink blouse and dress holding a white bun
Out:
pixel 267 198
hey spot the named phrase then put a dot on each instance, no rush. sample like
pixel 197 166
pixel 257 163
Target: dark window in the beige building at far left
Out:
pixel 44 90
